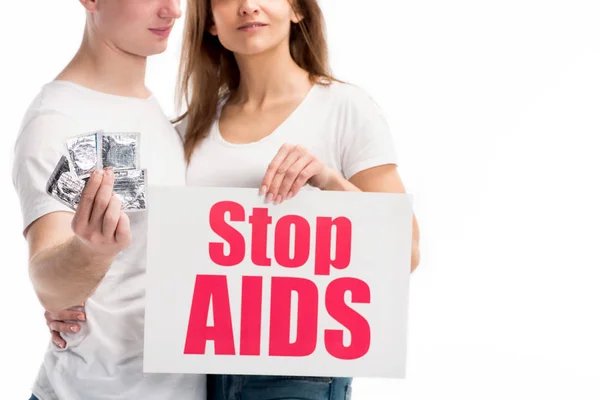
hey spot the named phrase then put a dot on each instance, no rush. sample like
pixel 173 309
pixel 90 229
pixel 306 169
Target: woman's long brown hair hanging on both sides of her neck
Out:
pixel 208 71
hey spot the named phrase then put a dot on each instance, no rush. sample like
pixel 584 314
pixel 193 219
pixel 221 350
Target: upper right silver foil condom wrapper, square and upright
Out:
pixel 120 151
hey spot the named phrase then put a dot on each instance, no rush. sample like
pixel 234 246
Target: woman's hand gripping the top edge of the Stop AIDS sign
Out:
pixel 292 167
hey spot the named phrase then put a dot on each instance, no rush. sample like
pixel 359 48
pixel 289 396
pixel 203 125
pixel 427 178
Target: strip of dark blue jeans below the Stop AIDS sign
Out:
pixel 260 387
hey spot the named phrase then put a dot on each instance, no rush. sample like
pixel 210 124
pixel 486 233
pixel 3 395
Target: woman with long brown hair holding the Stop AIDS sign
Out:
pixel 264 112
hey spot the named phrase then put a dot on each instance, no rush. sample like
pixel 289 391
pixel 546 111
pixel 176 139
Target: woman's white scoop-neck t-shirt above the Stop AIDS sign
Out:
pixel 340 124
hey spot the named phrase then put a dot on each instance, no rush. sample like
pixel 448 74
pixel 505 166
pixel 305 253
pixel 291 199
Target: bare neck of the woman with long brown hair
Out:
pixel 269 77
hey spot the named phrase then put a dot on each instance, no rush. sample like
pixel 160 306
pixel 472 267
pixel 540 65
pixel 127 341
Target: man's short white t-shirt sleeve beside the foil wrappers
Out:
pixel 38 149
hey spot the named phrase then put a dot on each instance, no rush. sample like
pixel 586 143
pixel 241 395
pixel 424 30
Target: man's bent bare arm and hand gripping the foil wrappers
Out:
pixel 70 254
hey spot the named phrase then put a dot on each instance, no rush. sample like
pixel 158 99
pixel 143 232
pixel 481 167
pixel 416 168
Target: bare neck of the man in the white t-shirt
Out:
pixel 101 66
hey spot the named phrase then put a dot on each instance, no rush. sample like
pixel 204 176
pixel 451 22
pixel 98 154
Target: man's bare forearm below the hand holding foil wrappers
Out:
pixel 67 274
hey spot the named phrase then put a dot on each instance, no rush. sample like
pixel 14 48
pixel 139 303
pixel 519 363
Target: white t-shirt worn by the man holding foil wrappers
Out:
pixel 104 360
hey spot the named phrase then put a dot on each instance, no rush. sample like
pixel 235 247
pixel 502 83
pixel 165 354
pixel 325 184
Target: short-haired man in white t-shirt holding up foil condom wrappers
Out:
pixel 97 254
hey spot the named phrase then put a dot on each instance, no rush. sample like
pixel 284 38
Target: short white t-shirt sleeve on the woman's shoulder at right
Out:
pixel 368 142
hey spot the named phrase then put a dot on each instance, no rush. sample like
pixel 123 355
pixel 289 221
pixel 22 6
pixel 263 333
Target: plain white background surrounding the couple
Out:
pixel 495 110
